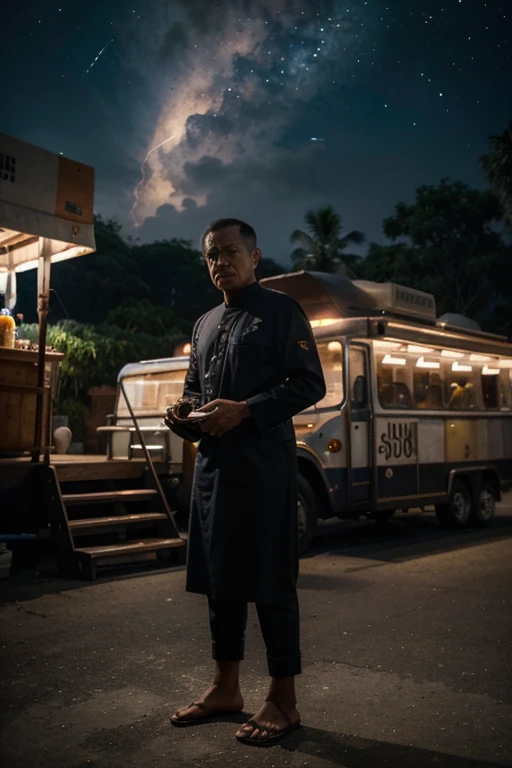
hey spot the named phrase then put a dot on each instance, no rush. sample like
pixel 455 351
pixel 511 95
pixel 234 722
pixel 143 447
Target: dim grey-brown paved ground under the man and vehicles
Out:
pixel 406 638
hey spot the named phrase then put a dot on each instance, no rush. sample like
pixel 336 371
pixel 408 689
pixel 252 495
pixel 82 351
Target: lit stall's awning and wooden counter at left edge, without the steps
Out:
pixel 46 216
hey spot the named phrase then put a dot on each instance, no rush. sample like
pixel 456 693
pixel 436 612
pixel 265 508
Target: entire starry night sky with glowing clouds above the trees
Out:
pixel 263 108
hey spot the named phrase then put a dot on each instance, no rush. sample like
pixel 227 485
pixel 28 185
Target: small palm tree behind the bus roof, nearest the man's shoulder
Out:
pixel 323 248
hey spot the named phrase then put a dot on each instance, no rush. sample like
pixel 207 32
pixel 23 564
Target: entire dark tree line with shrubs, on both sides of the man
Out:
pixel 130 301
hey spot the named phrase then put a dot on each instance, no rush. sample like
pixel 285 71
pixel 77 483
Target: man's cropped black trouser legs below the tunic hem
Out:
pixel 279 625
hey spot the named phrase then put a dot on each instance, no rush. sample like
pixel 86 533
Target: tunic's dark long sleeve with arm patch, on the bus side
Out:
pixel 301 373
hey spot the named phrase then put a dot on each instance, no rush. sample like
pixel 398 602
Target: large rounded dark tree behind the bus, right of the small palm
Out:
pixel 450 247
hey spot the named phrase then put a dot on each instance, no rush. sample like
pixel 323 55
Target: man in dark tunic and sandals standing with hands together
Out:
pixel 253 366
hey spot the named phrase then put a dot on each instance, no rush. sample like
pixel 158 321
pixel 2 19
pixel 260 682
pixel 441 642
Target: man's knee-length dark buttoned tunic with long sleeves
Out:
pixel 258 348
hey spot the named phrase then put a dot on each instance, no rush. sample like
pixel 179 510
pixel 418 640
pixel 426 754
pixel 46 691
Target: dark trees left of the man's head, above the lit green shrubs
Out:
pixel 124 279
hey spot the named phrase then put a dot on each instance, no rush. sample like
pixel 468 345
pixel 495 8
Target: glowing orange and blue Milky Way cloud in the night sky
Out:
pixel 229 76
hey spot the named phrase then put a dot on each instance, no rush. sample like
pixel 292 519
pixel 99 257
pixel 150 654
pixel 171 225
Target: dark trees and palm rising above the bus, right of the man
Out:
pixel 453 241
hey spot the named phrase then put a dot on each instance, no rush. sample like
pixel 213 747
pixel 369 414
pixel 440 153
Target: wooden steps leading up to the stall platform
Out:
pixel 107 515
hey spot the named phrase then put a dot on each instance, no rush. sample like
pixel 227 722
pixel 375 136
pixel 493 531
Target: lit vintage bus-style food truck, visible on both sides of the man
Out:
pixel 418 409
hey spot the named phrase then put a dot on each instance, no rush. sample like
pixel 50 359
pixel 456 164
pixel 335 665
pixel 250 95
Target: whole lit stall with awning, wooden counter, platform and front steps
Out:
pixel 95 511
